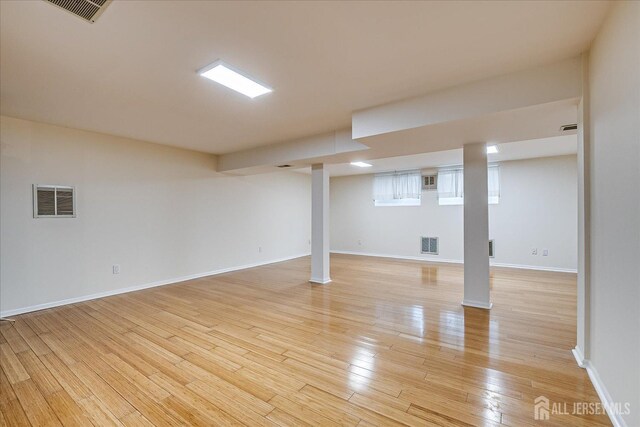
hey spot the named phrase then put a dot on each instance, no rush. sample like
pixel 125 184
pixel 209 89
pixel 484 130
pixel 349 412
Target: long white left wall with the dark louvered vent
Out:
pixel 161 213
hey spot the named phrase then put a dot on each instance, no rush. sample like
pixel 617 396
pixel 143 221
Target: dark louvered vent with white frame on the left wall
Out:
pixel 53 201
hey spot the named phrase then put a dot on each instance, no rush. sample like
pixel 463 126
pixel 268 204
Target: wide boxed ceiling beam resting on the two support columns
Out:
pixel 527 104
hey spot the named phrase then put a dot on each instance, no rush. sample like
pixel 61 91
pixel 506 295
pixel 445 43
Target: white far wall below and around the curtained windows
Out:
pixel 537 209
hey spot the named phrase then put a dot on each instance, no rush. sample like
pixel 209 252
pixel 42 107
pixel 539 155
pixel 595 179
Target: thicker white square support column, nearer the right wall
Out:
pixel 476 227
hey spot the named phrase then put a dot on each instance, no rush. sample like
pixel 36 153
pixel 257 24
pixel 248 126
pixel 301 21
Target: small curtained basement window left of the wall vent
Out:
pixel 397 188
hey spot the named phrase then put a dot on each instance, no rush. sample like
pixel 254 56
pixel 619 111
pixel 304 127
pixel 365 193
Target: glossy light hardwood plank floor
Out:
pixel 386 343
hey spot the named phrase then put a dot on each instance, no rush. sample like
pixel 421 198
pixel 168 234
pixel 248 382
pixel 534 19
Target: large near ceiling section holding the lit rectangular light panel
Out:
pixel 132 73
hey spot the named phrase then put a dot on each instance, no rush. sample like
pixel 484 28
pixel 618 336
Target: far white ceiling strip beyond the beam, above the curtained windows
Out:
pixel 533 148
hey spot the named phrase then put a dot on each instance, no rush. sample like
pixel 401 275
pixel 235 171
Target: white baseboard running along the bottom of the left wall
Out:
pixel 74 300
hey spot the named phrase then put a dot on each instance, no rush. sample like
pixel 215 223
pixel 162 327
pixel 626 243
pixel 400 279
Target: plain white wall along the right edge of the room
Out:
pixel 614 90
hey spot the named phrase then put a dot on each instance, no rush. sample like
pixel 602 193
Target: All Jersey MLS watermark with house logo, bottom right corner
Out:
pixel 543 408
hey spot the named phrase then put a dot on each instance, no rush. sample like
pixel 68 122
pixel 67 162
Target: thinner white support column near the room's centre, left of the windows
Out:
pixel 319 225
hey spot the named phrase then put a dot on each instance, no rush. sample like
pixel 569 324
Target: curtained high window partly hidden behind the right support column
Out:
pixel 451 186
